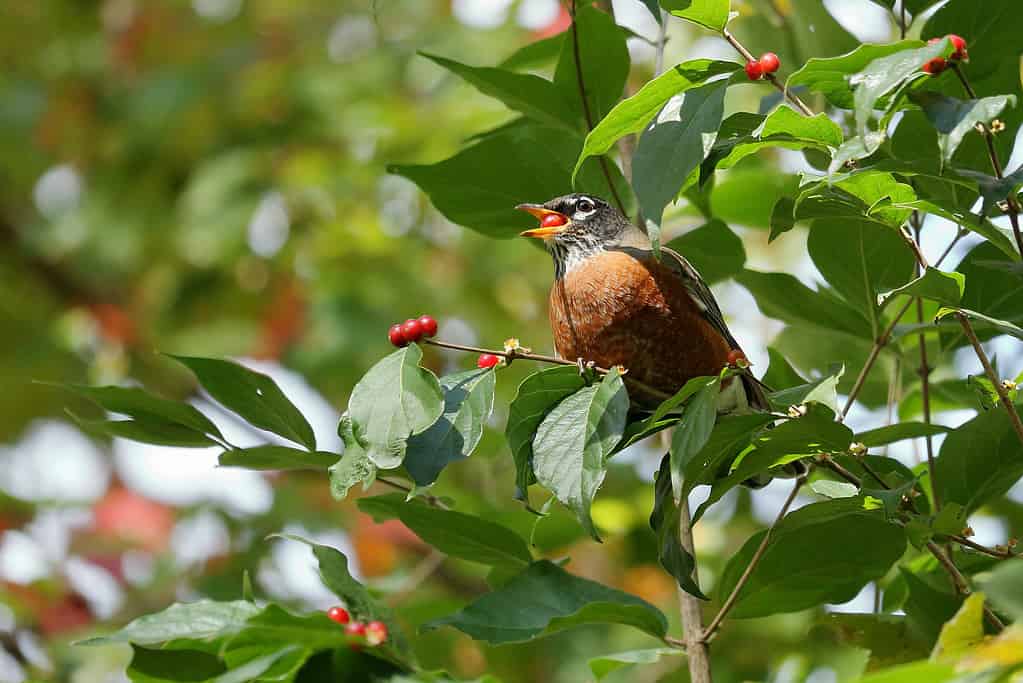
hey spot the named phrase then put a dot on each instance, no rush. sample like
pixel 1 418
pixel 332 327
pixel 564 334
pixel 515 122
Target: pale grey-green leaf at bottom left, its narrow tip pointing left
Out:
pixel 205 620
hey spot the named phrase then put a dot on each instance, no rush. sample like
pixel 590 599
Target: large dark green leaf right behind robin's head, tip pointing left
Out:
pixel 537 165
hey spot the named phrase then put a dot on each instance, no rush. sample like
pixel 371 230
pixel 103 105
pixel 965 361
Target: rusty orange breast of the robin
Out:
pixel 615 309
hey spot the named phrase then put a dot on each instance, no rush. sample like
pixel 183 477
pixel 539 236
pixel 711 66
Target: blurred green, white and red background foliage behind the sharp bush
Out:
pixel 209 178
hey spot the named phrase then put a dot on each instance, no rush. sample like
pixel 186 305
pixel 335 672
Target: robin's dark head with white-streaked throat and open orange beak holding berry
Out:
pixel 576 226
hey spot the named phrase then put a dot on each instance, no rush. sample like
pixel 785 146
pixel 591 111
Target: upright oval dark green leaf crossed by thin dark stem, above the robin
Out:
pixel 603 65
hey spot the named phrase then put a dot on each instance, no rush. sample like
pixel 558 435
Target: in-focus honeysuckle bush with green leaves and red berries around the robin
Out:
pixel 888 148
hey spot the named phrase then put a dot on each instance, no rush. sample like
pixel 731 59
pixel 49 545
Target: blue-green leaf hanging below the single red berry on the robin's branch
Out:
pixel 469 401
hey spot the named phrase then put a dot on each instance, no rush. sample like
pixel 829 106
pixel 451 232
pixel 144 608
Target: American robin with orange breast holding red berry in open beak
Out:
pixel 615 304
